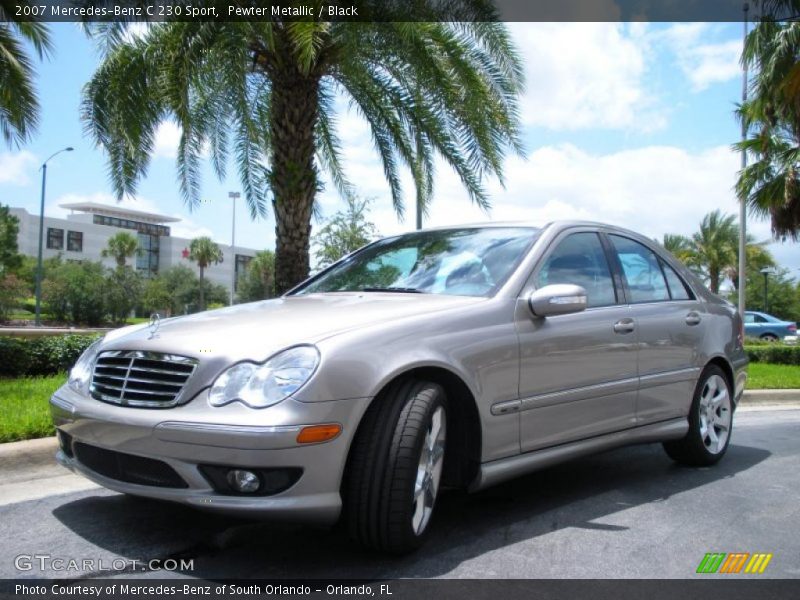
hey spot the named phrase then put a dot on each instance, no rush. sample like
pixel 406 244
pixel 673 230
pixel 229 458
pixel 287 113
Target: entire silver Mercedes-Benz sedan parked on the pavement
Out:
pixel 456 357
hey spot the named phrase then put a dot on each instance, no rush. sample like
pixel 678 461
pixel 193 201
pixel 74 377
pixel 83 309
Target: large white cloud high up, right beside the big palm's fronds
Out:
pixel 587 75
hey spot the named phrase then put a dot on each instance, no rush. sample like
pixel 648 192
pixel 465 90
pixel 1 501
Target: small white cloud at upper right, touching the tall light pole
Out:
pixel 702 61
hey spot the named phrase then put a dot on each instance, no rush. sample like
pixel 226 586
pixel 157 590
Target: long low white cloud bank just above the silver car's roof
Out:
pixel 653 190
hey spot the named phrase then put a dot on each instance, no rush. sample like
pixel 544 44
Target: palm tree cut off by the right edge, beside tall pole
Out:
pixel 770 183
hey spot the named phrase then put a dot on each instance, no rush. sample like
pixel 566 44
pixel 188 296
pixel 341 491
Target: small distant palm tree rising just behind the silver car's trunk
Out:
pixel 714 247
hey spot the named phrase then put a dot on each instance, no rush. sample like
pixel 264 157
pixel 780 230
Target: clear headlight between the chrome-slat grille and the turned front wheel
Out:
pixel 265 384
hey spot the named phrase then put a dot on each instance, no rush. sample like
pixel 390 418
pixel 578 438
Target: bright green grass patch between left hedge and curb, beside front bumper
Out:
pixel 24 410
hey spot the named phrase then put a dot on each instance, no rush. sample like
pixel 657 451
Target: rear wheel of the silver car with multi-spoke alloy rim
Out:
pixel 710 422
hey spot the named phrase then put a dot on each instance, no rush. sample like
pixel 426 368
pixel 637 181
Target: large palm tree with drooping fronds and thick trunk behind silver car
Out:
pixel 265 94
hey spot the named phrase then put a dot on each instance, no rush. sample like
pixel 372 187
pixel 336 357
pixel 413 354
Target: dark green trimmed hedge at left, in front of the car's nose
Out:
pixel 47 355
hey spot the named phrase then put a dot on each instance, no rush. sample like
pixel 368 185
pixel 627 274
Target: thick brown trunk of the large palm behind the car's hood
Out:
pixel 294 107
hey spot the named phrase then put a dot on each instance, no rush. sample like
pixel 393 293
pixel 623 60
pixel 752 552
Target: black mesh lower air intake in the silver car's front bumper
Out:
pixel 127 467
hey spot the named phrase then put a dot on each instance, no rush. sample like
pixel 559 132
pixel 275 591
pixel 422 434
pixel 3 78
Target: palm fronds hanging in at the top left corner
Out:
pixel 19 106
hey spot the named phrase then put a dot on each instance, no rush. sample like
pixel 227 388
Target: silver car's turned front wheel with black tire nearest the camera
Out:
pixel 395 467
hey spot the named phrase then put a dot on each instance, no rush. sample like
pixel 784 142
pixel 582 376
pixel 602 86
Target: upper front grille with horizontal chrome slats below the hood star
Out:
pixel 139 378
